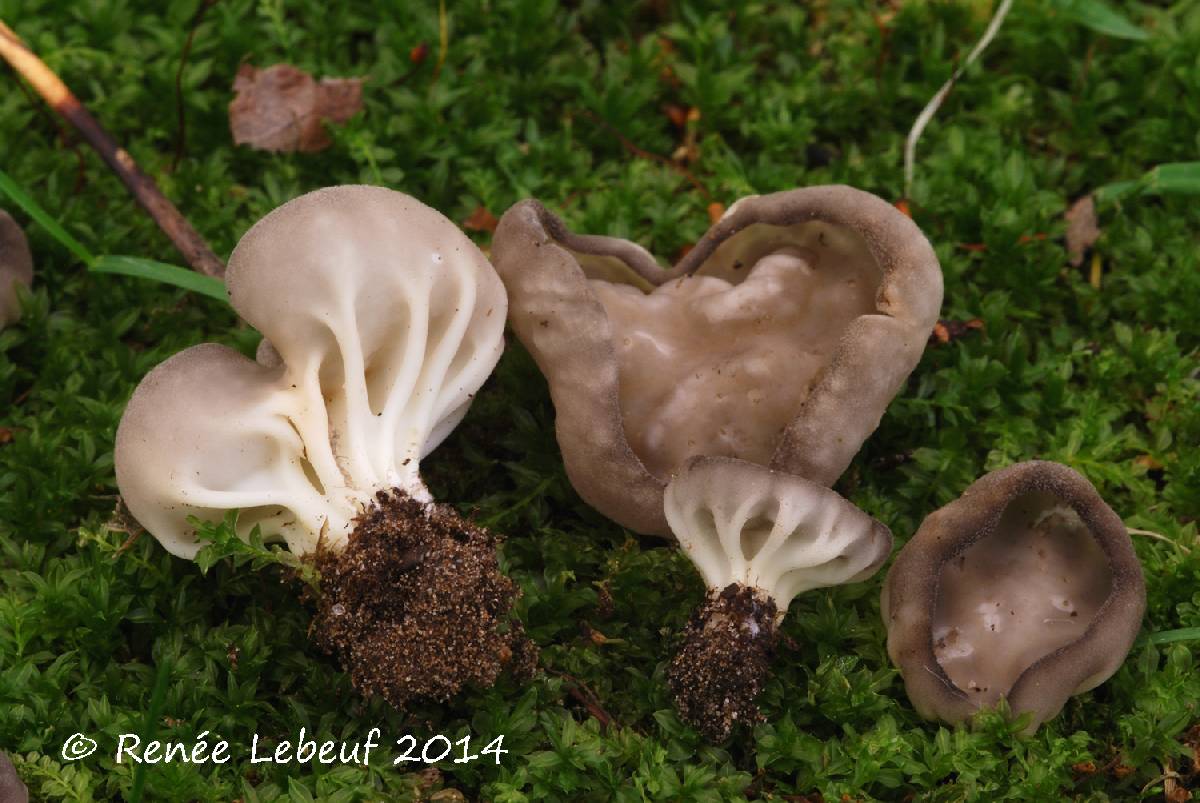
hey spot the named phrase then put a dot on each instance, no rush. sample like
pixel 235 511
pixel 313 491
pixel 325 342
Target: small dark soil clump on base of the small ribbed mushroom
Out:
pixel 725 661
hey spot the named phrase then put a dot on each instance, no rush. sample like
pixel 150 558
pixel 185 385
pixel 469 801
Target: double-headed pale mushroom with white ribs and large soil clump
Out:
pixel 381 321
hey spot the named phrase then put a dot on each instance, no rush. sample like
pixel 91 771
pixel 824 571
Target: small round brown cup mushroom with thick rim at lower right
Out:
pixel 1025 589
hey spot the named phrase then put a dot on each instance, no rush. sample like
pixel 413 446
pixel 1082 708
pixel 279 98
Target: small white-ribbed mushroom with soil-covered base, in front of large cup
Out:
pixel 758 538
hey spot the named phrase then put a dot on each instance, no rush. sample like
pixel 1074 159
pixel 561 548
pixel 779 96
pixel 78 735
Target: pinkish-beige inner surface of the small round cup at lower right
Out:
pixel 1027 590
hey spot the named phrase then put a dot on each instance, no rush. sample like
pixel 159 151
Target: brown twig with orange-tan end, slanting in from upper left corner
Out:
pixel 52 89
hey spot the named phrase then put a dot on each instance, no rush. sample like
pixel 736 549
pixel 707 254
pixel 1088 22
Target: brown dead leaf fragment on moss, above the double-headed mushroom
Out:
pixel 283 109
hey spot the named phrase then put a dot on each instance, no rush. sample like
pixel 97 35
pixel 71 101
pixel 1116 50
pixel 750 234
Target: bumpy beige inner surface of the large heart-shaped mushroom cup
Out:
pixel 718 364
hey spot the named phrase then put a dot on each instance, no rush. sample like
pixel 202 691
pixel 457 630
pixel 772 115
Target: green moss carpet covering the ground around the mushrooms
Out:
pixel 789 94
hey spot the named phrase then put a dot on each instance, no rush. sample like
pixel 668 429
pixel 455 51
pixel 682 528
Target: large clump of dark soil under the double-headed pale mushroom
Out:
pixel 416 606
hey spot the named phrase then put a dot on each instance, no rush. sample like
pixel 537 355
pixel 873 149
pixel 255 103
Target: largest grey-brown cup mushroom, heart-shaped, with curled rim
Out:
pixel 779 339
